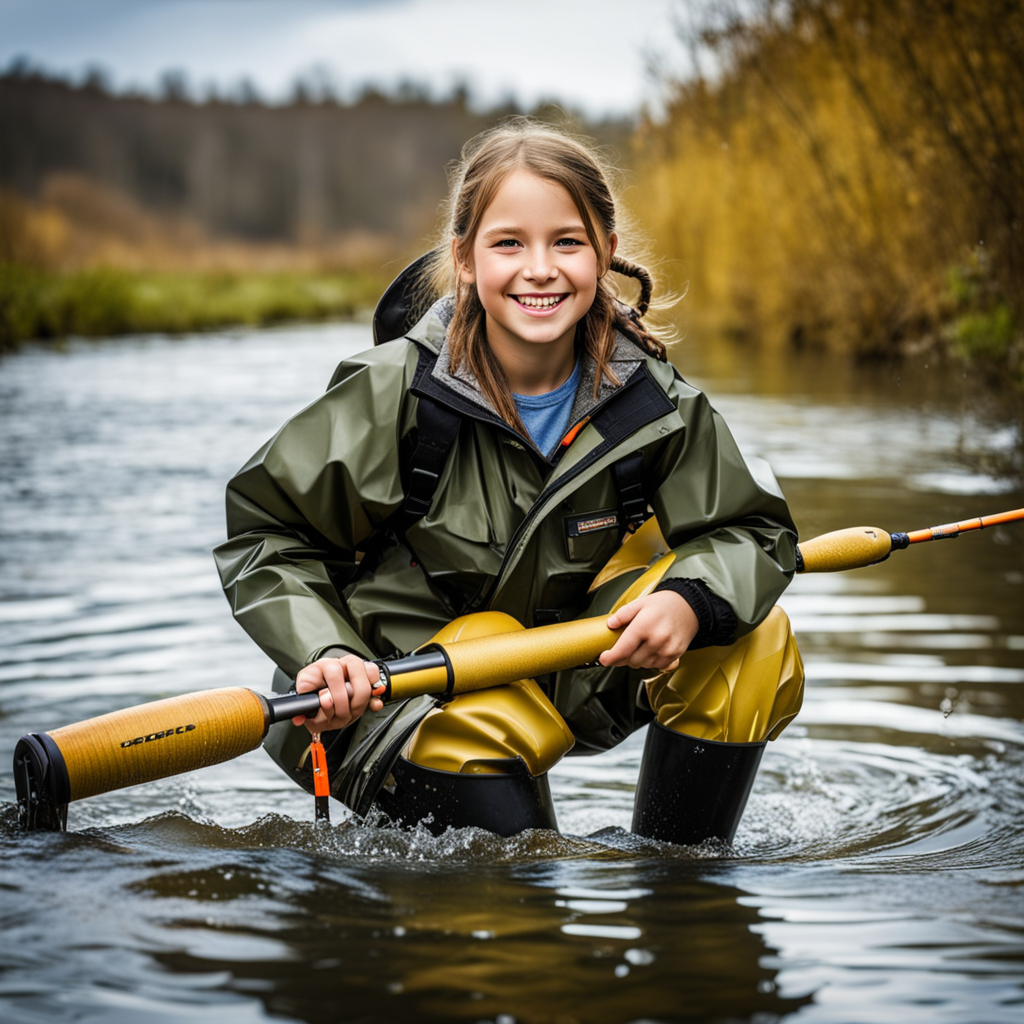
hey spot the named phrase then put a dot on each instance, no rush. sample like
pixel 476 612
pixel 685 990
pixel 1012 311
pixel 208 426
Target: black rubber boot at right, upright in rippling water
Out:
pixel 693 790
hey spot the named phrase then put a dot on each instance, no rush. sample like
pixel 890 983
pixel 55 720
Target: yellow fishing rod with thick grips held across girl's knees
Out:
pixel 196 731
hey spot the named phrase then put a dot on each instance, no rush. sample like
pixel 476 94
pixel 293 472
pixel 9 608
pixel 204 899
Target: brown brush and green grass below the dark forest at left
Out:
pixel 86 261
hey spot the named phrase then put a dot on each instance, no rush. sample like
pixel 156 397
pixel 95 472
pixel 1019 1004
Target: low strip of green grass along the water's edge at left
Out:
pixel 38 304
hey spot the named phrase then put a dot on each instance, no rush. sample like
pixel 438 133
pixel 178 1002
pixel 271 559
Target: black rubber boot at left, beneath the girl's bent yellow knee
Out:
pixel 504 804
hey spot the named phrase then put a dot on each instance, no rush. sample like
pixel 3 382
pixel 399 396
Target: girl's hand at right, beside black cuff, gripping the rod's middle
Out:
pixel 659 629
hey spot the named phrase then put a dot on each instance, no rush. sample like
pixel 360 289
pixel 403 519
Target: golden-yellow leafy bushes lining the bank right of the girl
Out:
pixel 848 174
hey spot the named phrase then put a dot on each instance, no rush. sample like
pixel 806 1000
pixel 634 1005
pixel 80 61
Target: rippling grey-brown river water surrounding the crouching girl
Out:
pixel 879 872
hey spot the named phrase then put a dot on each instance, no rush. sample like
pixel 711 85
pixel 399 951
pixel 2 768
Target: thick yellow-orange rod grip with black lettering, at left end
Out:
pixel 165 738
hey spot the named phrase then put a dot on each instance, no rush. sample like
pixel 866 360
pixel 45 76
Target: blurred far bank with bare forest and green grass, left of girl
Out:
pixel 130 214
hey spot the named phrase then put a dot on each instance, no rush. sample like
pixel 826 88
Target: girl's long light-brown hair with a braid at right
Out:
pixel 487 161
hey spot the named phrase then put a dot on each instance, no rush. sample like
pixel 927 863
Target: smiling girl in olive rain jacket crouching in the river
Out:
pixel 491 454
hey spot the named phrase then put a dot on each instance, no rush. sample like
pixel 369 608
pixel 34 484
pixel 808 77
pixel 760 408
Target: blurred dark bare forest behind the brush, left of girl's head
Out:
pixel 348 182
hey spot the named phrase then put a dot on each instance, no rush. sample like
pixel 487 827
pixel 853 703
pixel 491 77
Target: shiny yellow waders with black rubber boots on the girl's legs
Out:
pixel 714 714
